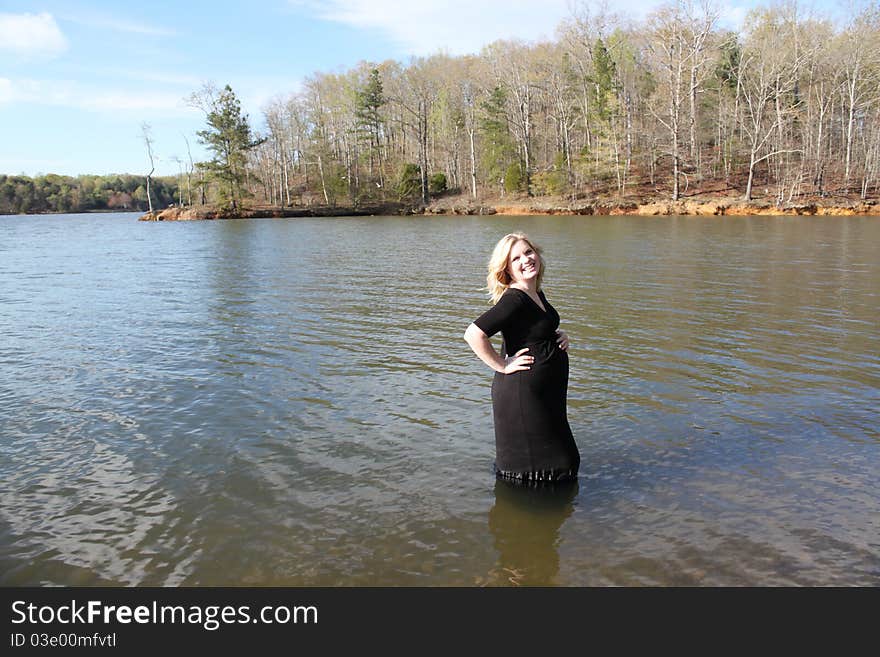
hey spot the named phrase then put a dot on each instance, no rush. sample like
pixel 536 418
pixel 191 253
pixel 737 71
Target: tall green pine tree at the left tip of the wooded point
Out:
pixel 230 139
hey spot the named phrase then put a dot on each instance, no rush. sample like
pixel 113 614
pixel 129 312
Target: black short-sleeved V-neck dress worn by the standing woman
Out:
pixel 533 441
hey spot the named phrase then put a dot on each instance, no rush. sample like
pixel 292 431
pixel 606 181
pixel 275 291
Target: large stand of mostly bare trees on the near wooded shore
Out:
pixel 786 107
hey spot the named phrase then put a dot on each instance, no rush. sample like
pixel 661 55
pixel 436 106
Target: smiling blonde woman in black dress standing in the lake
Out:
pixel 533 440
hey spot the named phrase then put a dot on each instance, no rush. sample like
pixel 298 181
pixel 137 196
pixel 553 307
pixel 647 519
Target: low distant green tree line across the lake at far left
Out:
pixel 54 193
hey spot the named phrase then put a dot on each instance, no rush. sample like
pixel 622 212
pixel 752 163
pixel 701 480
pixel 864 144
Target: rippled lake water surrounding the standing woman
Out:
pixel 291 402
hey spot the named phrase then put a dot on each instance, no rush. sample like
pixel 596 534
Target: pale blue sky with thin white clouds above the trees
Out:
pixel 79 78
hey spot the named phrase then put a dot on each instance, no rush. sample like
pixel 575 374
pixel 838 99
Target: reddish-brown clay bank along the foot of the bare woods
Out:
pixel 705 205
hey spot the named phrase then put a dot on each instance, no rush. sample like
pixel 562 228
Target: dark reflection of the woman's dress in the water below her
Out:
pixel 525 523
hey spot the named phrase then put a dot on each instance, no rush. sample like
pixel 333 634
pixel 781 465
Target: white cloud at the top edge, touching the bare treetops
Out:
pixel 454 26
